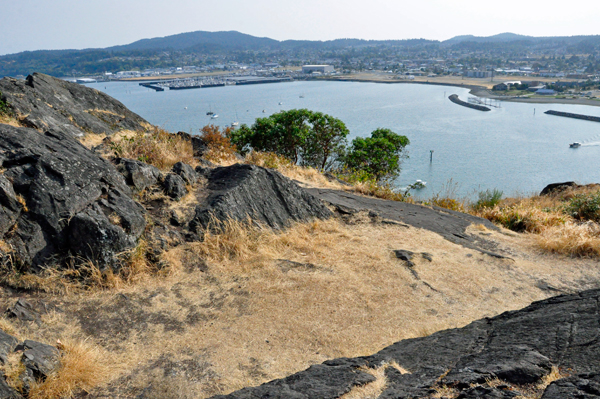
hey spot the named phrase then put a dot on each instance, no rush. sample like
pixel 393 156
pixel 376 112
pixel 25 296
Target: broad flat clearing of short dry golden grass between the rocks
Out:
pixel 256 320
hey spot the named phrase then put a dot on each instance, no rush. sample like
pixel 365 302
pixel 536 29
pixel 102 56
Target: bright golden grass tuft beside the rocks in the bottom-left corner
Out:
pixel 83 367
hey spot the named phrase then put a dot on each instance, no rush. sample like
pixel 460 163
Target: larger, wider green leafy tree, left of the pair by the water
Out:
pixel 306 137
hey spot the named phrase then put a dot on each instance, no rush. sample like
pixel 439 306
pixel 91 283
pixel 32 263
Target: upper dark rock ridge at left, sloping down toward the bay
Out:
pixel 44 103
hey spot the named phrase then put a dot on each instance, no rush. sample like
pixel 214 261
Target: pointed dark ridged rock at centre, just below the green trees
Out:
pixel 263 195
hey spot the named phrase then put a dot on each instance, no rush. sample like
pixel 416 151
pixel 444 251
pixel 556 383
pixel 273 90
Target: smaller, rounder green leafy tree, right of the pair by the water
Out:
pixel 379 155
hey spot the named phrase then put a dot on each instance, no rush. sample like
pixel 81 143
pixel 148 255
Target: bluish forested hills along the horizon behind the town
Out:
pixel 205 48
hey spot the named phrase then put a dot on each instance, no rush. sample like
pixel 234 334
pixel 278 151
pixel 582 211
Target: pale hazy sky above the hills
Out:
pixel 66 24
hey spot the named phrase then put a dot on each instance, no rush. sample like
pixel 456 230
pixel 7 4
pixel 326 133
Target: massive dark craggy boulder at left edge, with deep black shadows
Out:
pixel 67 191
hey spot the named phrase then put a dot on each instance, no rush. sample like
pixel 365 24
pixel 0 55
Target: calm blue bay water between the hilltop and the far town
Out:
pixel 508 148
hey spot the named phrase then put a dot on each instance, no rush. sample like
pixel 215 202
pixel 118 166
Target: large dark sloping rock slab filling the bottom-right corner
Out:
pixel 518 347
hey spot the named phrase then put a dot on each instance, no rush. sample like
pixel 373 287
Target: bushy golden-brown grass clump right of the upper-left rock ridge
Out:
pixel 156 147
